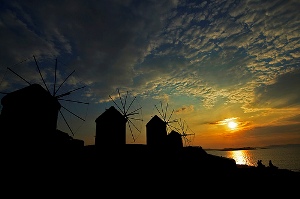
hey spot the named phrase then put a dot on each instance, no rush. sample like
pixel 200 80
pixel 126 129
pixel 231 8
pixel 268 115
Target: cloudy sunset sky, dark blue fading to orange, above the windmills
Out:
pixel 199 65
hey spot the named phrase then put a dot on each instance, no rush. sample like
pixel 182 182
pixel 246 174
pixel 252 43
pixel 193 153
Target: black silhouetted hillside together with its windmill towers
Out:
pixel 34 151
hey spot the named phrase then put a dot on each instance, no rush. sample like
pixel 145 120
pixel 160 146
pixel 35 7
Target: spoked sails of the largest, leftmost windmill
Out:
pixel 56 93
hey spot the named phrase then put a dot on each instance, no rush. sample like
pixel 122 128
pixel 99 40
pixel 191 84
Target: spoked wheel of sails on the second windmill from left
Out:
pixel 128 106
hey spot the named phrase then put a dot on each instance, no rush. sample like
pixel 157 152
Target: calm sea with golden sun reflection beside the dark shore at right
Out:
pixel 284 157
